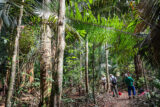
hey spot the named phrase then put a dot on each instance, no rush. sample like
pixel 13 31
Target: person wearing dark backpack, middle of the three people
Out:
pixel 114 88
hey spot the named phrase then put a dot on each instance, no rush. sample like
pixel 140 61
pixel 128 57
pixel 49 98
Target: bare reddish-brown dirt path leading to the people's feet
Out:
pixel 122 101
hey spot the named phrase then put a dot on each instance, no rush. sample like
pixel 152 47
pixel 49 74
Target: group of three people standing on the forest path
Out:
pixel 113 82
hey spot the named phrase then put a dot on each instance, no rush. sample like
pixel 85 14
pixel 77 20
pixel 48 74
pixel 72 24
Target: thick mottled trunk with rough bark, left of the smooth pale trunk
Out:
pixel 45 60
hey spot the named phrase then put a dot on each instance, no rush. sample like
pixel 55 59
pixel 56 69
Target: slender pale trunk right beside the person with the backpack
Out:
pixel 107 70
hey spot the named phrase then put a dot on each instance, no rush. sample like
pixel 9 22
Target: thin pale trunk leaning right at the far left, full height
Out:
pixel 13 73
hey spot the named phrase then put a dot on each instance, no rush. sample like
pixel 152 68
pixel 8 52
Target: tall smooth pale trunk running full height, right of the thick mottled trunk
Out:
pixel 61 47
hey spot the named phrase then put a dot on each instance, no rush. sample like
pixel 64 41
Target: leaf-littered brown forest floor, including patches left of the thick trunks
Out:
pixel 102 100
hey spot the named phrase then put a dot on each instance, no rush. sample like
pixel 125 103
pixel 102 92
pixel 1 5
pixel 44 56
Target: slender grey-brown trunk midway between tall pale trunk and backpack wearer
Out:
pixel 86 66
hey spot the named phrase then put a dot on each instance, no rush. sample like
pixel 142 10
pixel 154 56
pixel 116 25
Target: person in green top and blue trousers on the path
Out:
pixel 129 82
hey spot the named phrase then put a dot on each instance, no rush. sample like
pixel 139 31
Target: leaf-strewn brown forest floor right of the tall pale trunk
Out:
pixel 107 100
